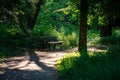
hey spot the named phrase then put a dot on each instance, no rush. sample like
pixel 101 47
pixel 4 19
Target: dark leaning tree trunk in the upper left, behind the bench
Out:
pixel 33 17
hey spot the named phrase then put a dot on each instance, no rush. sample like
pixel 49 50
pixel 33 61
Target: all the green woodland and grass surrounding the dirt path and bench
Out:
pixel 79 23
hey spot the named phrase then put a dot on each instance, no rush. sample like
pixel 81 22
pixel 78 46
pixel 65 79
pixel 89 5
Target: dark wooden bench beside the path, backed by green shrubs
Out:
pixel 52 42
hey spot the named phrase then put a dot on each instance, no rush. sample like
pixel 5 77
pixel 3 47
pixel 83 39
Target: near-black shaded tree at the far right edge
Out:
pixel 111 9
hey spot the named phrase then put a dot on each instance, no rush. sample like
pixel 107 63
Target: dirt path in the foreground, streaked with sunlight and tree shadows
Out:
pixel 34 65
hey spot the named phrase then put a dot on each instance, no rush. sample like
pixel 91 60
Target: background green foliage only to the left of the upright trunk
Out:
pixel 53 20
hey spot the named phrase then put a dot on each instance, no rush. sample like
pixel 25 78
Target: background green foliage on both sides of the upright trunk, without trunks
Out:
pixel 56 18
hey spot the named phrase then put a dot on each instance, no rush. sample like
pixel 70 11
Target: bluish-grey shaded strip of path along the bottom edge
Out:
pixel 17 74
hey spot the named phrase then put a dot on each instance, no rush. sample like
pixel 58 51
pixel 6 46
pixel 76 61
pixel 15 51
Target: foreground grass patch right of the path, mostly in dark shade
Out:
pixel 98 66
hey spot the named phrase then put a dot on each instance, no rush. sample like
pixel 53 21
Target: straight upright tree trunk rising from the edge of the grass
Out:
pixel 82 48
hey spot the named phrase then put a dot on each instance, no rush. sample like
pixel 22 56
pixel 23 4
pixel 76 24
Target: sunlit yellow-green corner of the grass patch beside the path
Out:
pixel 66 63
